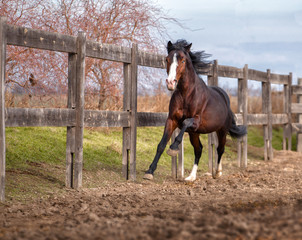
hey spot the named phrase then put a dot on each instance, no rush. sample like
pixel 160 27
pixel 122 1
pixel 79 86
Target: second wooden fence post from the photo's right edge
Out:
pixel 287 131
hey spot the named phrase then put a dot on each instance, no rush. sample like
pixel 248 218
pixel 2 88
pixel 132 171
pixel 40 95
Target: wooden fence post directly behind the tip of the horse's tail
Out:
pixel 242 108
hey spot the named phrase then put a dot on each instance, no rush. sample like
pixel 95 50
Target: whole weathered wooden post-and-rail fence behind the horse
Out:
pixel 75 117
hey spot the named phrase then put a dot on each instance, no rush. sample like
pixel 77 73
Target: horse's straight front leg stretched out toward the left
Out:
pixel 169 128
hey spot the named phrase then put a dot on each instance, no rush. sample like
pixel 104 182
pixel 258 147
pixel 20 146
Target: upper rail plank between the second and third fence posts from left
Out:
pixel 108 52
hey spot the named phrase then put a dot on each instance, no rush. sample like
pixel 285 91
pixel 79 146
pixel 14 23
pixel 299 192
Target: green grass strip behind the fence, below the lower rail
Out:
pixel 35 157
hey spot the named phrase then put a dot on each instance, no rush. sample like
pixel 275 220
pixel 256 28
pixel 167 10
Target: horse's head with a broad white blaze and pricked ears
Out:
pixel 176 64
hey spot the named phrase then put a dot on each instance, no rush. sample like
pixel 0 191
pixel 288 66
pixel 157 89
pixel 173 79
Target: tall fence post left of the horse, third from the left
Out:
pixel 133 113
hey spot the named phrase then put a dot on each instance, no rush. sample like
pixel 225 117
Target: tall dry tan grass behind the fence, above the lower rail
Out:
pixel 146 103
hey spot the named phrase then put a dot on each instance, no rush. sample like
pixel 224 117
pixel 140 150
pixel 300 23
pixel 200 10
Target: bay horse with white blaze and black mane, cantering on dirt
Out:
pixel 194 107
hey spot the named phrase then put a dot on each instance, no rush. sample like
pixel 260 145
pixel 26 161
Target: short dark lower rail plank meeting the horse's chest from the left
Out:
pixel 151 119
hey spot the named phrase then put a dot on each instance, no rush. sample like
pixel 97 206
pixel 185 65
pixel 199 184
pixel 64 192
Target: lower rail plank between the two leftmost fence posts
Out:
pixel 30 117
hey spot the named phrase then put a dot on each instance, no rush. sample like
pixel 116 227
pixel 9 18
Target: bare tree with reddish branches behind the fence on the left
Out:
pixel 120 22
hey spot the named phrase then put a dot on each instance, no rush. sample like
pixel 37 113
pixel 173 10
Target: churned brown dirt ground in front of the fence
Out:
pixel 262 202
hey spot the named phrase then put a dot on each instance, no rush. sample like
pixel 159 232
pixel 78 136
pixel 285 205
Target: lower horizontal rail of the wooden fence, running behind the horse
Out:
pixel 60 117
